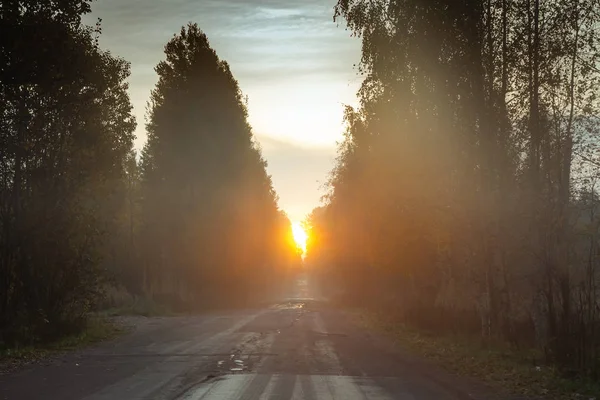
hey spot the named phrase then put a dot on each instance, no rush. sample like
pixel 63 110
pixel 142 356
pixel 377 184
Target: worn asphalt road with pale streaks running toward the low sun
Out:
pixel 300 348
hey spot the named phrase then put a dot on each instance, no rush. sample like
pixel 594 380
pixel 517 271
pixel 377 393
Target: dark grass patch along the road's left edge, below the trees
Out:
pixel 97 329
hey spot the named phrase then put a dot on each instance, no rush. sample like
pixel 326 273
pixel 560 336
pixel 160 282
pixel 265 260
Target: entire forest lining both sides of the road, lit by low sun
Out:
pixel 464 198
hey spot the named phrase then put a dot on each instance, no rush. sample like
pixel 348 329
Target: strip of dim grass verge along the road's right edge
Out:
pixel 504 368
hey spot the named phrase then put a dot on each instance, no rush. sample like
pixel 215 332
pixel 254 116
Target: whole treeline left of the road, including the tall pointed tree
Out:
pixel 192 220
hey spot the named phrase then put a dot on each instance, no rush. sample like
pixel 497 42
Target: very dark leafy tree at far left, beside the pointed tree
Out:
pixel 65 132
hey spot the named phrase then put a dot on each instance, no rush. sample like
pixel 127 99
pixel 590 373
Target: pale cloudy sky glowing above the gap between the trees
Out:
pixel 290 58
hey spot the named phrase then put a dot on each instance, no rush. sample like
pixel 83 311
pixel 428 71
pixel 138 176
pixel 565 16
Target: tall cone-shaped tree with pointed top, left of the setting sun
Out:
pixel 209 210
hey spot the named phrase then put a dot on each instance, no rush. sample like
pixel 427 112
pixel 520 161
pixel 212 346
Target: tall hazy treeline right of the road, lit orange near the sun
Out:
pixel 464 196
